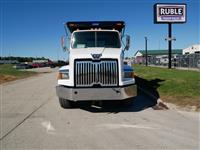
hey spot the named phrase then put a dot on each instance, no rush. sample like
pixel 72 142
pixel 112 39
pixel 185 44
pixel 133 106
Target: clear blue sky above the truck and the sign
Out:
pixel 34 27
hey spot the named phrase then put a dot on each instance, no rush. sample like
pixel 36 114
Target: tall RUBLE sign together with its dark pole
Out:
pixel 169 13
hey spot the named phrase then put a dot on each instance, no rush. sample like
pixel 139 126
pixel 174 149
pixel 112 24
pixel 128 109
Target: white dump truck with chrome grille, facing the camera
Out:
pixel 96 70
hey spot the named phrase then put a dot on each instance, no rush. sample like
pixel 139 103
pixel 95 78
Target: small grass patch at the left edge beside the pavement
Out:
pixel 8 73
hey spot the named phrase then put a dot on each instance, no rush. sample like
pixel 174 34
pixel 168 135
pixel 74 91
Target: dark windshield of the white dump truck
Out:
pixel 96 39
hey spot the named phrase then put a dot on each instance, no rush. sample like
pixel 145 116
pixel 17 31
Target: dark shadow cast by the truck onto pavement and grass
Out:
pixel 147 96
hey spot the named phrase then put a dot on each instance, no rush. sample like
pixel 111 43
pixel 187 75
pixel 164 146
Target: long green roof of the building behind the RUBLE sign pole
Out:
pixel 159 52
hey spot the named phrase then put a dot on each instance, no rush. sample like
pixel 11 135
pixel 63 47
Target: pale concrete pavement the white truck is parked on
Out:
pixel 31 118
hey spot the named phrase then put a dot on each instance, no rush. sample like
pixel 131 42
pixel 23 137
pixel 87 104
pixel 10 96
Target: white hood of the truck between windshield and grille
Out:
pixel 87 52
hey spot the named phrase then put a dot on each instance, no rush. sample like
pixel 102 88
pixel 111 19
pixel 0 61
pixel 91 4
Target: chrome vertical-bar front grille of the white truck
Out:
pixel 89 73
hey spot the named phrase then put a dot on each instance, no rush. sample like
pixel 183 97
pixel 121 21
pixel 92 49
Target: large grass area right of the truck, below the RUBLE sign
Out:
pixel 177 86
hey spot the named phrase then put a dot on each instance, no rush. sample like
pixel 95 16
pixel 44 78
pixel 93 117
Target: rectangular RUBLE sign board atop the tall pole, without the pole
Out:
pixel 169 13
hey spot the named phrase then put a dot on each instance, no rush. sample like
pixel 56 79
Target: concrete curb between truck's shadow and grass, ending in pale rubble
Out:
pixel 160 104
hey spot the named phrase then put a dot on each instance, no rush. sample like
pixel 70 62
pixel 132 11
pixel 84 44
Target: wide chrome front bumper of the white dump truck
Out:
pixel 83 94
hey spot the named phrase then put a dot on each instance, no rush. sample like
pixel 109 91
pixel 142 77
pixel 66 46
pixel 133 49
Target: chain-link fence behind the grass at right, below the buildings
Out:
pixel 187 61
